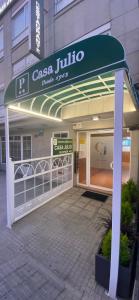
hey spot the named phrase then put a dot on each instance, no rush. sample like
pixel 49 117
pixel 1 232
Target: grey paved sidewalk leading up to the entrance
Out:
pixel 50 254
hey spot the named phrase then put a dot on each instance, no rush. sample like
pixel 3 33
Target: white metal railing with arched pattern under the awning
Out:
pixel 33 182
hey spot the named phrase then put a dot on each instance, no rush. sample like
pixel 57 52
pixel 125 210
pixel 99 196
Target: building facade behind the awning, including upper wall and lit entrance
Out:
pixel 66 22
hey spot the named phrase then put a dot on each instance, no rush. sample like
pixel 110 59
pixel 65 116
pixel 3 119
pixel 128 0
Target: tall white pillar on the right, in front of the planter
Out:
pixel 117 181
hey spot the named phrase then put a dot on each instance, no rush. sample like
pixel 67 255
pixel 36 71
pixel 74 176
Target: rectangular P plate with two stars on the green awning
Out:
pixel 22 85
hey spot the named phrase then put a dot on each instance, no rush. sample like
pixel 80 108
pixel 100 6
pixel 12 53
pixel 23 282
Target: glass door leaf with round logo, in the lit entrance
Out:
pixel 101 160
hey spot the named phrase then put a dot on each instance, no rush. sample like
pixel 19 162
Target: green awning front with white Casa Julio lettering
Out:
pixel 80 61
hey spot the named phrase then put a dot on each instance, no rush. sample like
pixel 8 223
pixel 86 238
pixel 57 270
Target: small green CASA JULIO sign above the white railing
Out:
pixel 61 146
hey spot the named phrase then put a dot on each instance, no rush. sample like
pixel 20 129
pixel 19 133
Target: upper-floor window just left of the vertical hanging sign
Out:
pixel 20 24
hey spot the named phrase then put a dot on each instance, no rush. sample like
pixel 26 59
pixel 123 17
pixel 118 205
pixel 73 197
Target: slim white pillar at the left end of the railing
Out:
pixel 9 222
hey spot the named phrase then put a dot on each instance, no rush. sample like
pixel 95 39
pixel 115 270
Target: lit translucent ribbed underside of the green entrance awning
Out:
pixel 52 102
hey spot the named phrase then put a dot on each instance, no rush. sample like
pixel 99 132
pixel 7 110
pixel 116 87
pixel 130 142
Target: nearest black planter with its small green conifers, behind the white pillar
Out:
pixel 126 268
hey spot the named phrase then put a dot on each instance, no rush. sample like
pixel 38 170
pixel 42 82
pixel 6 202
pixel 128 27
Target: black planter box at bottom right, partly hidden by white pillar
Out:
pixel 126 275
